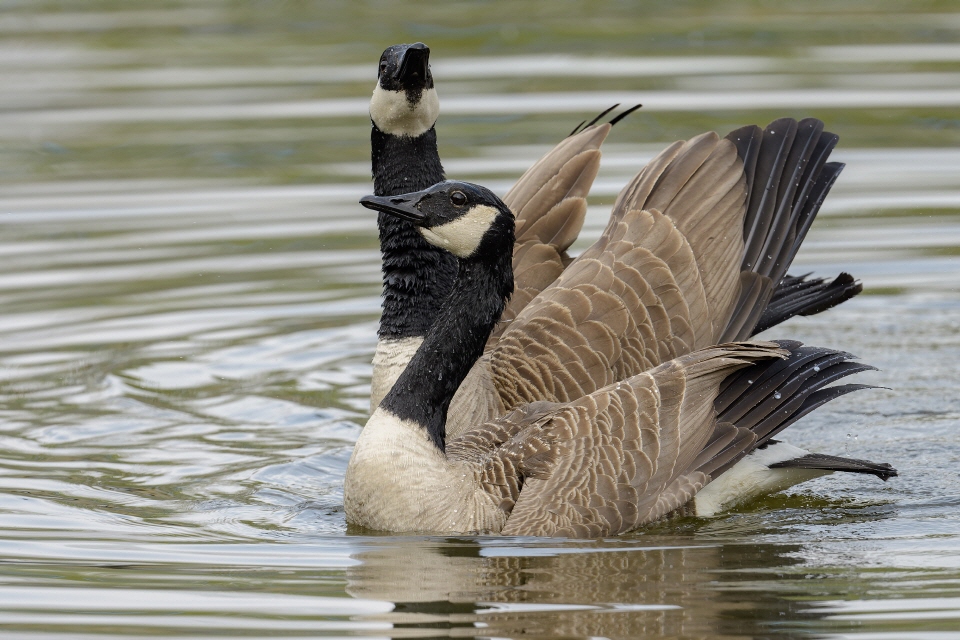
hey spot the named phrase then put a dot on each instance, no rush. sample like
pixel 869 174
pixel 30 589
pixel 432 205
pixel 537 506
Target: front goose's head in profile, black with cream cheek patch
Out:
pixel 465 219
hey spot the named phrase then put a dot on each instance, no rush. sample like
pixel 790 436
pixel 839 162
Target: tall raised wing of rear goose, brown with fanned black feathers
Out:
pixel 691 257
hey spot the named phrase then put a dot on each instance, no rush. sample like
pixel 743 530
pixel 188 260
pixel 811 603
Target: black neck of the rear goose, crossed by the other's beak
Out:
pixel 417 277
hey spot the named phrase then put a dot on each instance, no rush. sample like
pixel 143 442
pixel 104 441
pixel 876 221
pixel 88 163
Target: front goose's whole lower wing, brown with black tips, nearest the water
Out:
pixel 630 453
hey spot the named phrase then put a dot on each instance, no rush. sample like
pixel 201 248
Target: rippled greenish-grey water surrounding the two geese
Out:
pixel 190 297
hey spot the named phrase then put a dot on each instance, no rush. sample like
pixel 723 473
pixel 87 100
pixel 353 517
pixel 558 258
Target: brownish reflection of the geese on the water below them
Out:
pixel 611 588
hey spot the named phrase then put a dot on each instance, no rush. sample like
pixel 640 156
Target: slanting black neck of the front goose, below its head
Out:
pixel 424 390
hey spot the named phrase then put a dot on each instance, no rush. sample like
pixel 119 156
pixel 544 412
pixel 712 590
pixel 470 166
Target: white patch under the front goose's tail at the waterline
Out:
pixel 752 477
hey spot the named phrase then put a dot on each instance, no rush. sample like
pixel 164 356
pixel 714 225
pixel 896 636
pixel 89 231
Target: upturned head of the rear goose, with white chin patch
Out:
pixel 404 101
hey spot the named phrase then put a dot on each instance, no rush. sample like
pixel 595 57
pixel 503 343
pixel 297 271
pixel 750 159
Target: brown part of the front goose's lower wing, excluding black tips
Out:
pixel 615 459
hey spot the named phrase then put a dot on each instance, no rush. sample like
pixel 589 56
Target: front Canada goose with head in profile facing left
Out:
pixel 605 463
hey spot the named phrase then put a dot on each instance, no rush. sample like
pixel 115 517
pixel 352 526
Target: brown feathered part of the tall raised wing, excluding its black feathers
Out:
pixel 656 285
